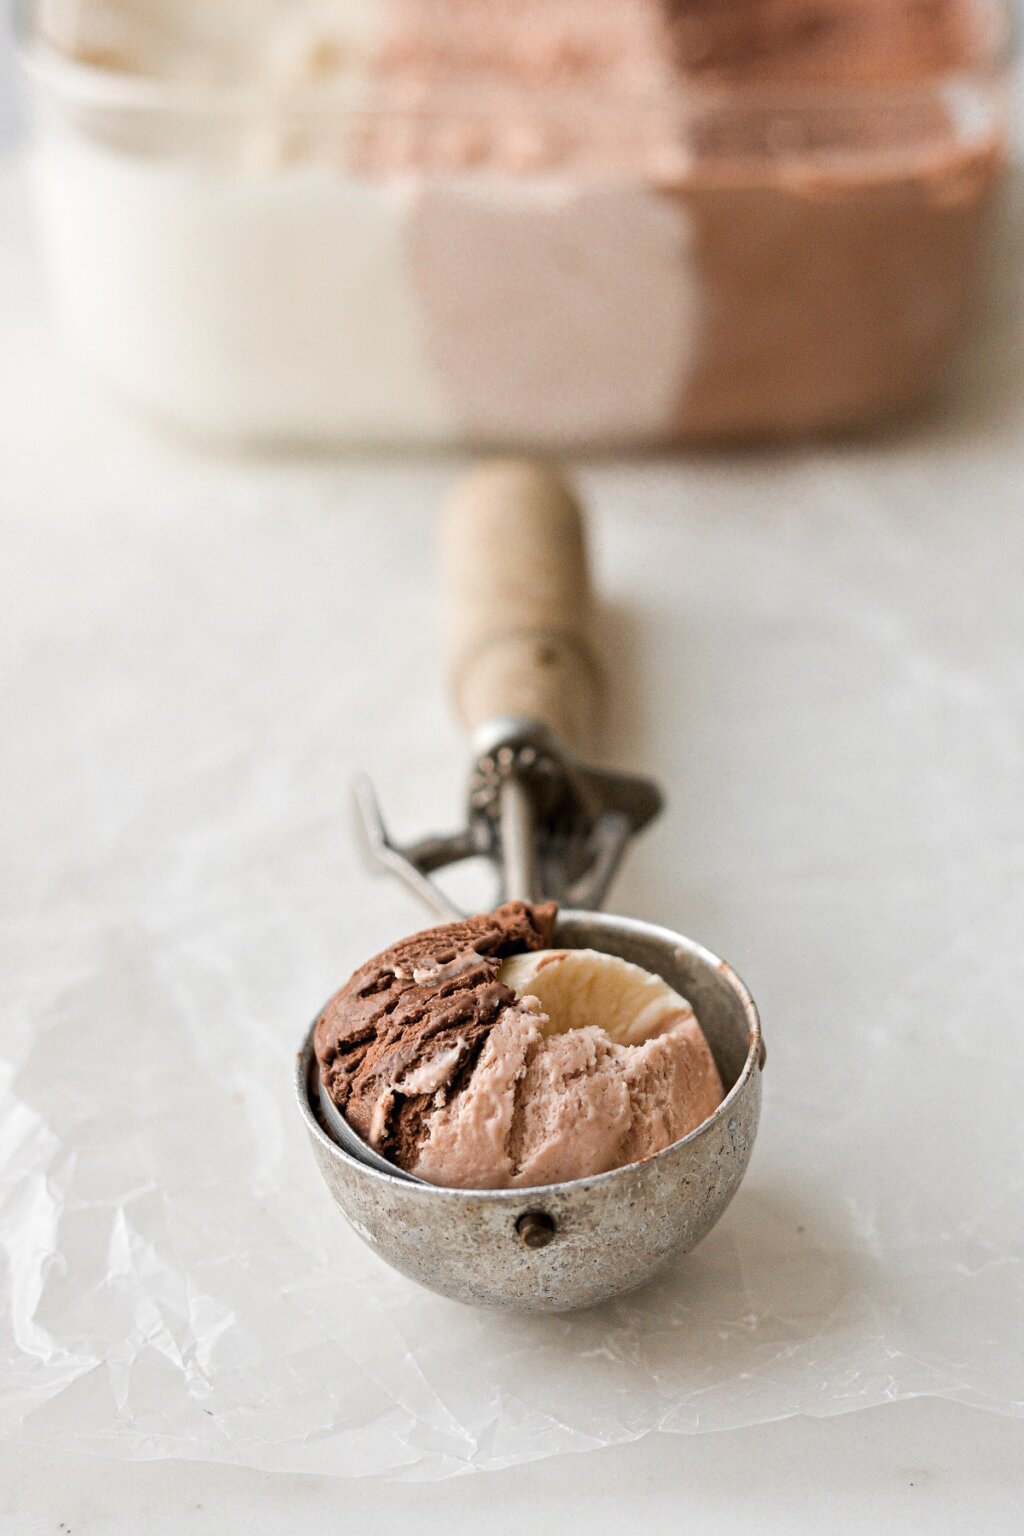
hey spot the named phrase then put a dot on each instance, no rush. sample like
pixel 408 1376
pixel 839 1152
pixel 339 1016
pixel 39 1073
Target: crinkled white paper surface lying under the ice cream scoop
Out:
pixel 199 654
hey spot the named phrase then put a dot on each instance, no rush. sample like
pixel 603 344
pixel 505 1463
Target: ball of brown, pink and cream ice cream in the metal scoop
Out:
pixel 478 1058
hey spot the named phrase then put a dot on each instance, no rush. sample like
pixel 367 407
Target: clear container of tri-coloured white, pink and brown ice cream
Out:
pixel 553 222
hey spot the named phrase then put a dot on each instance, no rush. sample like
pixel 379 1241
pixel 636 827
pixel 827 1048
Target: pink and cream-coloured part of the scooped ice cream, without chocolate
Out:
pixel 596 1065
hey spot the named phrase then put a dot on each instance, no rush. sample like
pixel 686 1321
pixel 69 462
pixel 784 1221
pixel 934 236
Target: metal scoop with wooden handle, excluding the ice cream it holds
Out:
pixel 557 829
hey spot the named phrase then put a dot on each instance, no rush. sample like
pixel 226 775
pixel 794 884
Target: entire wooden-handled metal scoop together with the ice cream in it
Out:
pixel 541 1105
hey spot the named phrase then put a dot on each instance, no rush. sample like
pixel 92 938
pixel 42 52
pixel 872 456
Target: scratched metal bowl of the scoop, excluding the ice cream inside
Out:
pixel 564 1246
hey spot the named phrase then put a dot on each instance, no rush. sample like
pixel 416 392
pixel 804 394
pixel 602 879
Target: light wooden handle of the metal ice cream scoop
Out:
pixel 518 601
